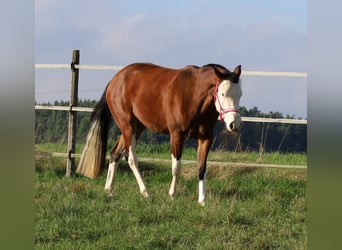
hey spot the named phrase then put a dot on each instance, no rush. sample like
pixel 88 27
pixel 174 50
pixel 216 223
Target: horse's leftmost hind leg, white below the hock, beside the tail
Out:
pixel 115 157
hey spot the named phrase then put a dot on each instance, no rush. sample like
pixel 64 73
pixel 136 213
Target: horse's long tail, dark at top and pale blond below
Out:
pixel 94 153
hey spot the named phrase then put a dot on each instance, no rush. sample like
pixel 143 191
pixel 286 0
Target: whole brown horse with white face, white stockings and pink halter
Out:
pixel 180 102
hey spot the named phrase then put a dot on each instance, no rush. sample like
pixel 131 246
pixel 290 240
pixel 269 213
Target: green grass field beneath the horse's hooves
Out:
pixel 246 208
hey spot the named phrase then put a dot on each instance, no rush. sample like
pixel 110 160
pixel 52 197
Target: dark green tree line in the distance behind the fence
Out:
pixel 51 126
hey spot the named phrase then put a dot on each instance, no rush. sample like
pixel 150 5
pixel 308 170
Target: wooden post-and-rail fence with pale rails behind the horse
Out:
pixel 75 66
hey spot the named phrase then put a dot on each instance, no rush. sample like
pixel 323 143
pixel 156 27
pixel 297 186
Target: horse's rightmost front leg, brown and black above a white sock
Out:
pixel 202 153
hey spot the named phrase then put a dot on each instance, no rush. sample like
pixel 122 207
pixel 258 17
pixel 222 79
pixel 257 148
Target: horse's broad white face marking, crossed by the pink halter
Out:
pixel 228 97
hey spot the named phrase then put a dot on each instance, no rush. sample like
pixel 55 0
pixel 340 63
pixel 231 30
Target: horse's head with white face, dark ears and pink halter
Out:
pixel 227 97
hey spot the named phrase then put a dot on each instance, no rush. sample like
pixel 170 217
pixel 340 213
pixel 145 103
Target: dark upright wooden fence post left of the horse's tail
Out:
pixel 72 114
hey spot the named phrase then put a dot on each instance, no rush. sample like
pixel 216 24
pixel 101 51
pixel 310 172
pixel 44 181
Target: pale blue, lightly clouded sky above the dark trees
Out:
pixel 269 35
